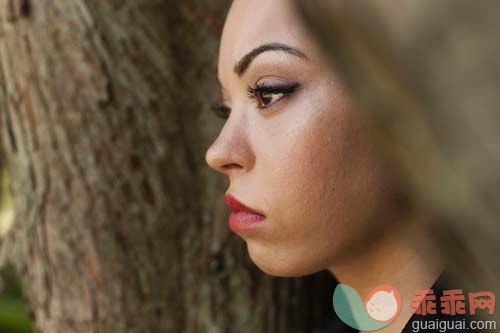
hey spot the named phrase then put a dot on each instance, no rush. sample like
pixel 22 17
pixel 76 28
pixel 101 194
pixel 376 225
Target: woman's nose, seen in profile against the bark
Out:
pixel 231 151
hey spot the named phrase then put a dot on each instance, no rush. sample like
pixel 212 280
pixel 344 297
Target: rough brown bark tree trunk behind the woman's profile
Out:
pixel 119 226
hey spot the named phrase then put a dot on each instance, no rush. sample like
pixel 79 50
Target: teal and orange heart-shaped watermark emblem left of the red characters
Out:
pixel 380 307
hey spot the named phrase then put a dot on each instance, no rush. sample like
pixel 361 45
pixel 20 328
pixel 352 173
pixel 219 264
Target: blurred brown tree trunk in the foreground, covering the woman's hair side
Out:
pixel 429 78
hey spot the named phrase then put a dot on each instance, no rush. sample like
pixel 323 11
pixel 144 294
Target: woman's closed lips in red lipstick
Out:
pixel 242 217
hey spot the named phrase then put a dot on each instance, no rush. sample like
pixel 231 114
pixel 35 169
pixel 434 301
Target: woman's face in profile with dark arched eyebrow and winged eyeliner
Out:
pixel 293 146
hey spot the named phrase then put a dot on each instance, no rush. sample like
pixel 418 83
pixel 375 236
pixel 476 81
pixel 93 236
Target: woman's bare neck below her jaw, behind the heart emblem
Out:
pixel 405 259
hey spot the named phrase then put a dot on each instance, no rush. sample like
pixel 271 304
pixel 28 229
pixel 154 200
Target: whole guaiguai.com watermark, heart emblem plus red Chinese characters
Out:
pixel 383 304
